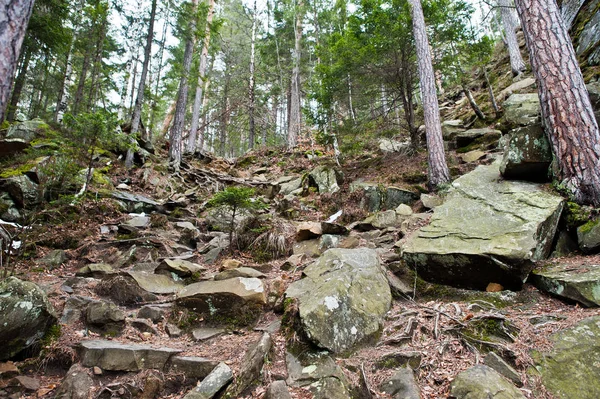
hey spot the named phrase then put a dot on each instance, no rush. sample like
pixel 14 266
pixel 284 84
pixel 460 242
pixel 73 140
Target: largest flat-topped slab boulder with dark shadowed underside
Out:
pixel 487 230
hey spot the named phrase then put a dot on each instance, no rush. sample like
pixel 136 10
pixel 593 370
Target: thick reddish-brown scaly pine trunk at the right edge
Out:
pixel 566 108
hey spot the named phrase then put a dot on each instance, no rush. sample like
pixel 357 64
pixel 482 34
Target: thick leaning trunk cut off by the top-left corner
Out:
pixel 14 17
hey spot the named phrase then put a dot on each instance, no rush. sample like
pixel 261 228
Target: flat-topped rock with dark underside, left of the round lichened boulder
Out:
pixel 237 300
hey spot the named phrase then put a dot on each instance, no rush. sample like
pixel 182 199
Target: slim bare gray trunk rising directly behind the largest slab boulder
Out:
pixel 438 170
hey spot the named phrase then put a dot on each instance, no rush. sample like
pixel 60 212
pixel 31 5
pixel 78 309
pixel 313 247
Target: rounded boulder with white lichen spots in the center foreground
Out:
pixel 343 298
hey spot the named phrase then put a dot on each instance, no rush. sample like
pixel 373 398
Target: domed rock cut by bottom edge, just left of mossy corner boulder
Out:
pixel 482 382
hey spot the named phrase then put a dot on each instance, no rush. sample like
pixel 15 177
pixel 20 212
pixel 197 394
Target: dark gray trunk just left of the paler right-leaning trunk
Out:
pixel 179 118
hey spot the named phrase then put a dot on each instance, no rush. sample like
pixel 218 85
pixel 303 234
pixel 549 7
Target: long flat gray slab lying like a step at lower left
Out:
pixel 115 356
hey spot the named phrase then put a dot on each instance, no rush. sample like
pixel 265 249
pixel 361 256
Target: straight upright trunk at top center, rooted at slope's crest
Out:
pixel 295 118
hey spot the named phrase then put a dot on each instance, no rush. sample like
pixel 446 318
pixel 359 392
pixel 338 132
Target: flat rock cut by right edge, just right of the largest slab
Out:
pixel 581 284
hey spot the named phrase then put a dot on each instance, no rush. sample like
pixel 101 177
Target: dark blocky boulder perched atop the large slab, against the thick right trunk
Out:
pixel 527 155
